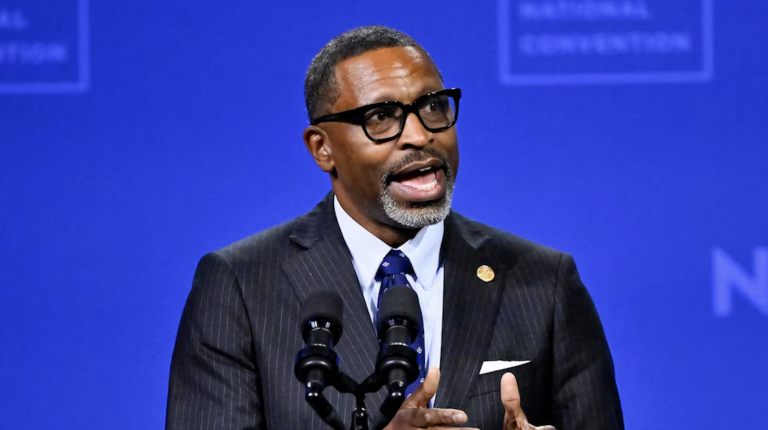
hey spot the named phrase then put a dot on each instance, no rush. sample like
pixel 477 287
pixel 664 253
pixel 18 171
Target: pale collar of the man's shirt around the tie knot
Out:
pixel 368 250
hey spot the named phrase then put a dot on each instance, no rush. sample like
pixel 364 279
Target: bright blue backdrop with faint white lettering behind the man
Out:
pixel 631 134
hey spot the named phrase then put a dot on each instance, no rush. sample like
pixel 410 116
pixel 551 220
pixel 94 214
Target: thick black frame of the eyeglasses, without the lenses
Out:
pixel 357 115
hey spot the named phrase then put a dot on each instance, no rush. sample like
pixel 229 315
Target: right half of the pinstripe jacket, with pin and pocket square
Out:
pixel 535 308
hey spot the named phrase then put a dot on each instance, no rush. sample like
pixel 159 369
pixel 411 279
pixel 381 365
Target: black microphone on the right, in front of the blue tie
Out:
pixel 398 326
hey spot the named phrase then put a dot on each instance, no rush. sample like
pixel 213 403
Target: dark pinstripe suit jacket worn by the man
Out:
pixel 232 366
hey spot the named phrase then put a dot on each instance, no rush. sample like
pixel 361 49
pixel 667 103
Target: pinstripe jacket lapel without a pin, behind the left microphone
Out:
pixel 327 264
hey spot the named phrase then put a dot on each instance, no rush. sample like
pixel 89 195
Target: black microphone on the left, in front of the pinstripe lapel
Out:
pixel 317 364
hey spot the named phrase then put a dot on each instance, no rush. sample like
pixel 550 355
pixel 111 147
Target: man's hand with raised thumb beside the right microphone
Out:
pixel 414 414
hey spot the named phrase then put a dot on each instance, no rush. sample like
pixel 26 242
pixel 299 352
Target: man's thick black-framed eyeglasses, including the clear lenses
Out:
pixel 385 121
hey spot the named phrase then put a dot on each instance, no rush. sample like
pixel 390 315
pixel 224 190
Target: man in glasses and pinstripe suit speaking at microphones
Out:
pixel 507 322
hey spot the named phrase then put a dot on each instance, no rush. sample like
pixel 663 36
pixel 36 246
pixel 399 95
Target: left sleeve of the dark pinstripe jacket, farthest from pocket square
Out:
pixel 214 379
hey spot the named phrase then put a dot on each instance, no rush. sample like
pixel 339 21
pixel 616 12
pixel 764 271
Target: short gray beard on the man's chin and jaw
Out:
pixel 418 215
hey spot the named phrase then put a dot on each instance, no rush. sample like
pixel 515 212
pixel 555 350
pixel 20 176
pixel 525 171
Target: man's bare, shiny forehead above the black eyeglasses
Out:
pixel 400 73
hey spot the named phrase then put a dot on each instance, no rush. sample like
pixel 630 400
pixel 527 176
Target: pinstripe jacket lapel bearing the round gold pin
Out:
pixel 470 306
